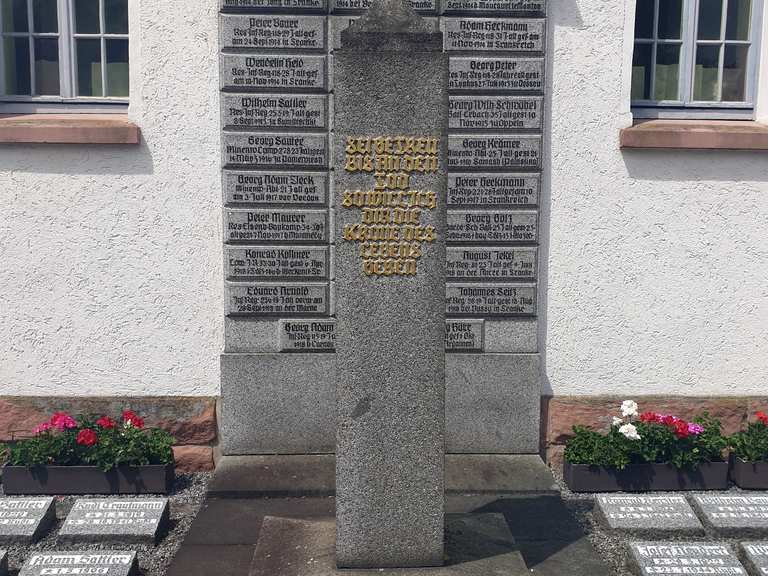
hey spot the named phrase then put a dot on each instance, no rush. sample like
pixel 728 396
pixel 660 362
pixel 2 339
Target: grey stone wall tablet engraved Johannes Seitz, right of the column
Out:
pixel 490 300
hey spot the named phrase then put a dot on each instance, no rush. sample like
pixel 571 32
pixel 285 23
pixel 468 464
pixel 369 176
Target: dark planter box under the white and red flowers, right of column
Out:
pixel 645 478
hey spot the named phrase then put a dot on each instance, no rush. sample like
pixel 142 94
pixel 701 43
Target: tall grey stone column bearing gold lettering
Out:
pixel 390 143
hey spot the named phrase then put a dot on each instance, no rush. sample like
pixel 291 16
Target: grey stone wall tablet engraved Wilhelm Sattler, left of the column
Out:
pixel 274 111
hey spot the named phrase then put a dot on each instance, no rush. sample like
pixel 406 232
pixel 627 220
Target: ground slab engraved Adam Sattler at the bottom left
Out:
pixel 103 562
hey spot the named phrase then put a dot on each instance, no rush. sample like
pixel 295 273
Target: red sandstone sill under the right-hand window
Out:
pixel 696 135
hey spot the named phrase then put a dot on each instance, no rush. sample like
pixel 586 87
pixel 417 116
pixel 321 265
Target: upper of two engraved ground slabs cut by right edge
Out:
pixel 734 515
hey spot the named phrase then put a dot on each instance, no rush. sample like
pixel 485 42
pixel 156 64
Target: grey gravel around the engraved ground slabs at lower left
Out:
pixel 185 500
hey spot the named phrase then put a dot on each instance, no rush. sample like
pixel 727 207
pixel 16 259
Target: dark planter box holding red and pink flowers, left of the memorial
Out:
pixel 60 480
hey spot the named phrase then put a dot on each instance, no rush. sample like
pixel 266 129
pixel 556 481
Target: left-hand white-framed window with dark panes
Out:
pixel 64 52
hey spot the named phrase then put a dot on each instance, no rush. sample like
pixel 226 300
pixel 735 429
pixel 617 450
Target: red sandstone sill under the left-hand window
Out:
pixel 68 129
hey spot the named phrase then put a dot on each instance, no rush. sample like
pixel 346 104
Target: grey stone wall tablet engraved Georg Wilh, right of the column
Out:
pixel 495 112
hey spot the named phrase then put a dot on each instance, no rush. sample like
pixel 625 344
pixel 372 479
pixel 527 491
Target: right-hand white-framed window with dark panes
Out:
pixel 695 58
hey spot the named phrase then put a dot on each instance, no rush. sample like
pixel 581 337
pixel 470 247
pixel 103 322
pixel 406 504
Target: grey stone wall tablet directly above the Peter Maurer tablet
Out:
pixel 246 187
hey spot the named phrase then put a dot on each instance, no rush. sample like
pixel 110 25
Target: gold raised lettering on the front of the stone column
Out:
pixel 390 232
